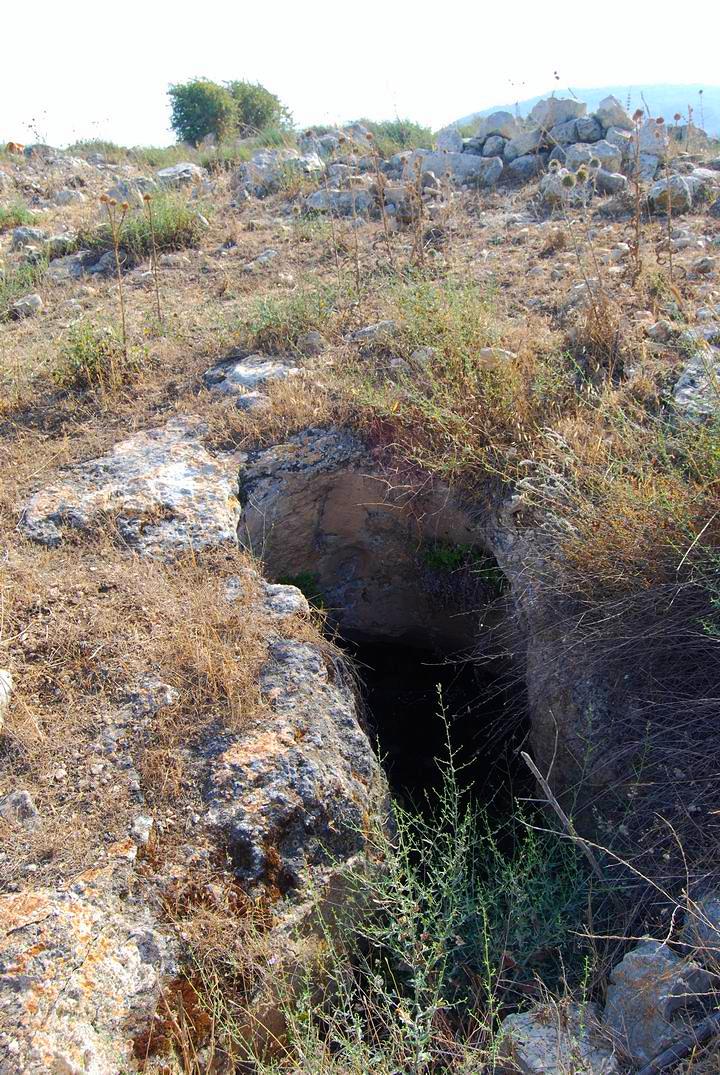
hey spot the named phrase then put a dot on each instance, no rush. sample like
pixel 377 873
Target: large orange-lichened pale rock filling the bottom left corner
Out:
pixel 80 978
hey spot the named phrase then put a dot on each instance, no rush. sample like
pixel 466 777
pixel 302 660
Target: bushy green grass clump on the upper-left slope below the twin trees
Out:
pixel 178 226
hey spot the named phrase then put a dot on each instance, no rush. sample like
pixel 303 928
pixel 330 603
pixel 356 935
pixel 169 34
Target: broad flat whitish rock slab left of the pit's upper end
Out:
pixel 163 491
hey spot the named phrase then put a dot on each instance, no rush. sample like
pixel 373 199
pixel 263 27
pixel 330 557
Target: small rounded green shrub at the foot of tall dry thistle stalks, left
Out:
pixel 93 357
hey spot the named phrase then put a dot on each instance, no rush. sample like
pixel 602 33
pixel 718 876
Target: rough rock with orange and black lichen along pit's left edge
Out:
pixel 293 791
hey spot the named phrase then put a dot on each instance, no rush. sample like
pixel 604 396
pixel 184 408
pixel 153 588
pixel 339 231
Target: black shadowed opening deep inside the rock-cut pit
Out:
pixel 421 701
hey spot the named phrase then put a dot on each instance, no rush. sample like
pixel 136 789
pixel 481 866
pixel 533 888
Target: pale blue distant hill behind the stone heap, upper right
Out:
pixel 663 99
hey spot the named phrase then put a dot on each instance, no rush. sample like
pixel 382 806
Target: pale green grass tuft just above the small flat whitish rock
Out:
pixel 277 323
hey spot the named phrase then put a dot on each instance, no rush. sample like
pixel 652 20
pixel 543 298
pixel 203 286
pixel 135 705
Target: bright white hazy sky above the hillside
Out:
pixel 77 69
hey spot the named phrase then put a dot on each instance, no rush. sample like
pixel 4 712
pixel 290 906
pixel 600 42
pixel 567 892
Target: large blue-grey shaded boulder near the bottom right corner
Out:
pixel 647 991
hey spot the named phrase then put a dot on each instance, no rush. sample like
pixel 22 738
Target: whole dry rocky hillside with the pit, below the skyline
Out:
pixel 284 434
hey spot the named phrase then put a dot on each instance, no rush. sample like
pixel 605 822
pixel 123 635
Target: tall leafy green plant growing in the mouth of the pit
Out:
pixel 435 944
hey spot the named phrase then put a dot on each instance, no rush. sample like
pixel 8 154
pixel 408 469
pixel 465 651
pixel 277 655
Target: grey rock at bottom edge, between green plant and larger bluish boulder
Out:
pixel 555 1042
